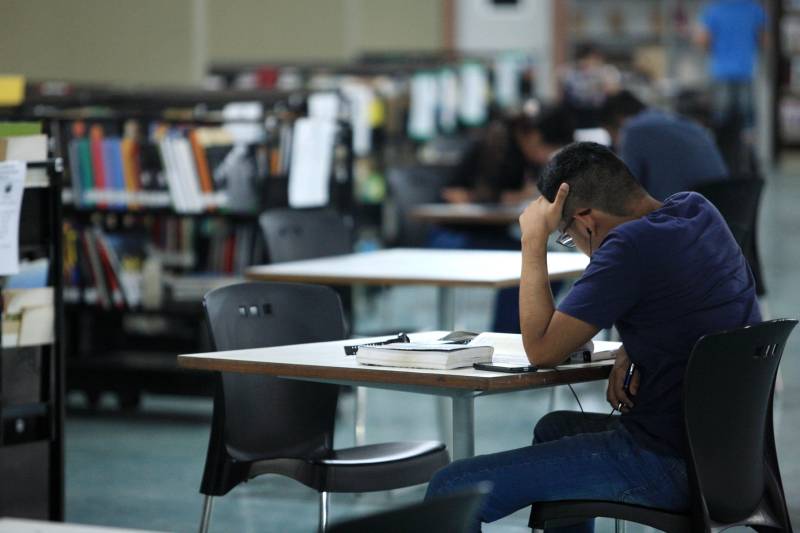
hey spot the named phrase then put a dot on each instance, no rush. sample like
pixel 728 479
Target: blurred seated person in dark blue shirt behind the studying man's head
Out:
pixel 666 152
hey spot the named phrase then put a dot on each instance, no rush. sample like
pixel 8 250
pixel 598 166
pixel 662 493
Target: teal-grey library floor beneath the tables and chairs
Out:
pixel 143 470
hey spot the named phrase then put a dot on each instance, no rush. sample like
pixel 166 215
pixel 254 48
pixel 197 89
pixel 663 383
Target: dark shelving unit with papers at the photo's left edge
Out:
pixel 32 376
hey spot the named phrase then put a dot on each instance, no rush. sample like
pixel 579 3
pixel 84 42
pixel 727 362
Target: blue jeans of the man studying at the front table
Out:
pixel 574 456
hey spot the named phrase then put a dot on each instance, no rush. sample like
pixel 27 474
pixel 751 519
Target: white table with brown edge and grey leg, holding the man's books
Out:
pixel 326 362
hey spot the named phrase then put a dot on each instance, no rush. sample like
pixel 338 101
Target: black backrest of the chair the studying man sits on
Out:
pixel 728 401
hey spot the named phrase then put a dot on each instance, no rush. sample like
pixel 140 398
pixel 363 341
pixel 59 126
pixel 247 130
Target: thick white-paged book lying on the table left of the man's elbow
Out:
pixel 434 356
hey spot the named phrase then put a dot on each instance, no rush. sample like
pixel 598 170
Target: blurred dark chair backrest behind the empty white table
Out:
pixel 296 234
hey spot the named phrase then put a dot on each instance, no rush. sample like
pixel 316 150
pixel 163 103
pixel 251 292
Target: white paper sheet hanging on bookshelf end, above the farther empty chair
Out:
pixel 312 157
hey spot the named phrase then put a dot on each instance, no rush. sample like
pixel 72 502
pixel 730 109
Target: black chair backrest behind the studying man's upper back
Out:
pixel 738 200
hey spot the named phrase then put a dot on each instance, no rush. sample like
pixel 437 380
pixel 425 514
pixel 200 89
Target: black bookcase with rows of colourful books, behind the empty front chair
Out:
pixel 137 263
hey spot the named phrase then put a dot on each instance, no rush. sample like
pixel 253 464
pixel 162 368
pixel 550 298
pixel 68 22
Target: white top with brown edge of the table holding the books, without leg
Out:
pixel 326 361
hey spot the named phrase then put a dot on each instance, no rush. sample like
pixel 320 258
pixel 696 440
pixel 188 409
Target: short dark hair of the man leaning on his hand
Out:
pixel 597 179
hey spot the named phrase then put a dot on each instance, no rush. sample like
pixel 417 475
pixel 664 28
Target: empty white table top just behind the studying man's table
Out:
pixel 418 266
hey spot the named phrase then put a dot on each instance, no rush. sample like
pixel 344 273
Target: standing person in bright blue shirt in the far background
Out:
pixel 732 31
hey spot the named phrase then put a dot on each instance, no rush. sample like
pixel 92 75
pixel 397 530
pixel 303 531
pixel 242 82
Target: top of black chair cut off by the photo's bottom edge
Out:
pixel 454 513
